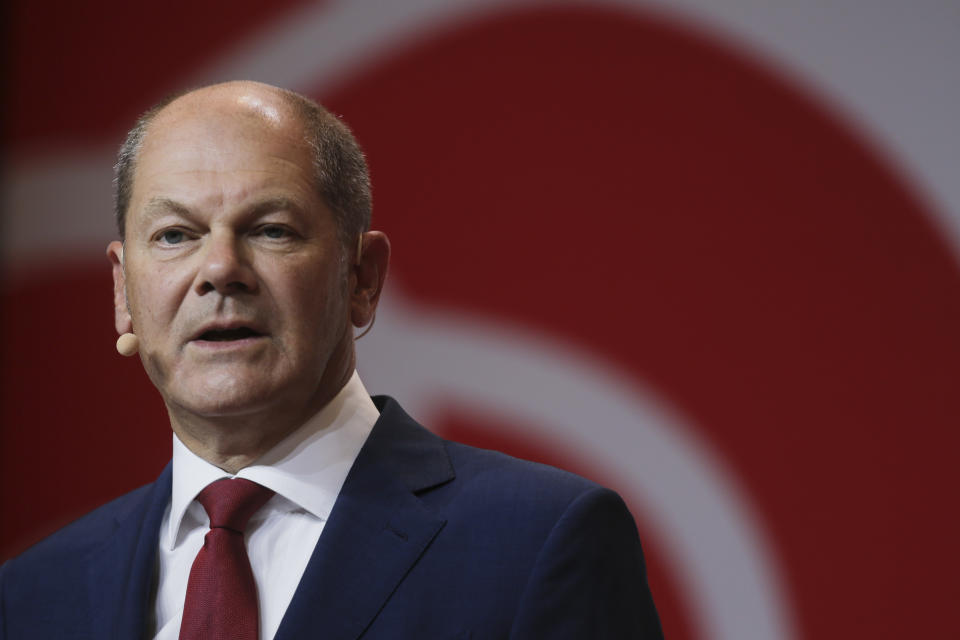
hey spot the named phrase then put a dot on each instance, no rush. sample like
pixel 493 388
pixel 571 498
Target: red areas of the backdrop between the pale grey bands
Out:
pixel 616 181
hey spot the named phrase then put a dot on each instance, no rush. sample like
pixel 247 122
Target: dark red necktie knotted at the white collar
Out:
pixel 221 601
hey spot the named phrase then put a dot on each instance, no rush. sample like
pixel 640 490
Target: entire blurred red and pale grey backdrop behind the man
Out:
pixel 704 252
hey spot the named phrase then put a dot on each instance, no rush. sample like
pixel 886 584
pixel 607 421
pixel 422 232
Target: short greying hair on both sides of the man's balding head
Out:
pixel 341 175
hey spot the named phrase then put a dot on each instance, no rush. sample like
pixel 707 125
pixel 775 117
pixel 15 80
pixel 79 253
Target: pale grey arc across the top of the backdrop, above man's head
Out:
pixel 890 71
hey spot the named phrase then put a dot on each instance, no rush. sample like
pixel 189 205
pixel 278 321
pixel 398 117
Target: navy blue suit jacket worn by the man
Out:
pixel 428 539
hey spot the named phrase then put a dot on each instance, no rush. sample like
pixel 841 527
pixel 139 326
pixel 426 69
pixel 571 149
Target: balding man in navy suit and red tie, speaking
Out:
pixel 295 505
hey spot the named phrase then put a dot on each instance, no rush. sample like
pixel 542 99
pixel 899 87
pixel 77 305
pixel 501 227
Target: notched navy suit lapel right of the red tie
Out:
pixel 376 533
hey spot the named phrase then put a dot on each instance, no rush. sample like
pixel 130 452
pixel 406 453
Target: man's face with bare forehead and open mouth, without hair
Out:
pixel 235 280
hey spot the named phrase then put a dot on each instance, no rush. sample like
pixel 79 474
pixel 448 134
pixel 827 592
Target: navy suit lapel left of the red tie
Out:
pixel 121 571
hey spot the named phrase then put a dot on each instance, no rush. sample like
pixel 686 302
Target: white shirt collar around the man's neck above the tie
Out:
pixel 308 467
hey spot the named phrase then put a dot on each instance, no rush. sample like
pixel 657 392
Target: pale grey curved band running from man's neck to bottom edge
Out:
pixel 713 540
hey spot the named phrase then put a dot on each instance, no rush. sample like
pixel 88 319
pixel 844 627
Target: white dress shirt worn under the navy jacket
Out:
pixel 306 470
